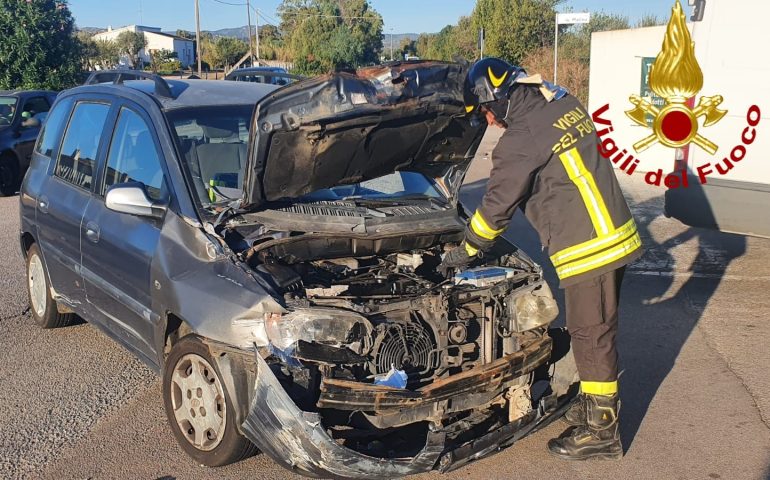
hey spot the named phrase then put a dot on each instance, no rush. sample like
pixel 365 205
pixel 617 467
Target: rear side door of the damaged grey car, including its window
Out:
pixel 64 194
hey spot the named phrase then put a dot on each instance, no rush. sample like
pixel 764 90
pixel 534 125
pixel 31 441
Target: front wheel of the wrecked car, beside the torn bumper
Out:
pixel 199 408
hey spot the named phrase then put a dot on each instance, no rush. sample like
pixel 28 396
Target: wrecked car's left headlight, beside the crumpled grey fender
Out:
pixel 330 326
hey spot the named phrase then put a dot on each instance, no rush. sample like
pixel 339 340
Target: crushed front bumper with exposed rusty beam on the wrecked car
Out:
pixel 298 441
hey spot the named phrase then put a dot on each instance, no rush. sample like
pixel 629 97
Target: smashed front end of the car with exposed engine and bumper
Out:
pixel 380 367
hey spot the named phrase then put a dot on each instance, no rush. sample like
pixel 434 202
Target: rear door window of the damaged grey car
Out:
pixel 77 157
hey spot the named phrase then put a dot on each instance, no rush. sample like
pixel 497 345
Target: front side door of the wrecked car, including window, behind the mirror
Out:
pixel 118 248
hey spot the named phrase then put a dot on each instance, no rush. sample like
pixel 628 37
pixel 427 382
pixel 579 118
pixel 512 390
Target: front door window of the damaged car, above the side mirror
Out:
pixel 133 156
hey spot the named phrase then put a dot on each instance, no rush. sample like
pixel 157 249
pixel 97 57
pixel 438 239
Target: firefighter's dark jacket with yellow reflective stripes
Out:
pixel 547 162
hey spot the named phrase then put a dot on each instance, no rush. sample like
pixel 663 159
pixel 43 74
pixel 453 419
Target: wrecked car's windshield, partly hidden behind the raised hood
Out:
pixel 214 142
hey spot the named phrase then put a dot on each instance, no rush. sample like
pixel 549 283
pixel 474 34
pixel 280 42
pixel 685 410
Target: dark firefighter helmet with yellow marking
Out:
pixel 488 80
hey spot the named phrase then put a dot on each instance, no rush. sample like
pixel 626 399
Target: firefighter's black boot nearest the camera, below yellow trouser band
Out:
pixel 599 438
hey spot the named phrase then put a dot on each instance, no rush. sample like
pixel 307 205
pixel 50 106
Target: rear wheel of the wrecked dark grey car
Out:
pixel 43 307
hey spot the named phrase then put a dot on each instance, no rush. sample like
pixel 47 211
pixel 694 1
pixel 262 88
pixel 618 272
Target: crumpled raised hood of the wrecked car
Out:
pixel 345 128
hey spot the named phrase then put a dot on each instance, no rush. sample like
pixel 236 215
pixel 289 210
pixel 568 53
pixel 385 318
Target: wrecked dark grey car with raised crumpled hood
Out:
pixel 278 264
